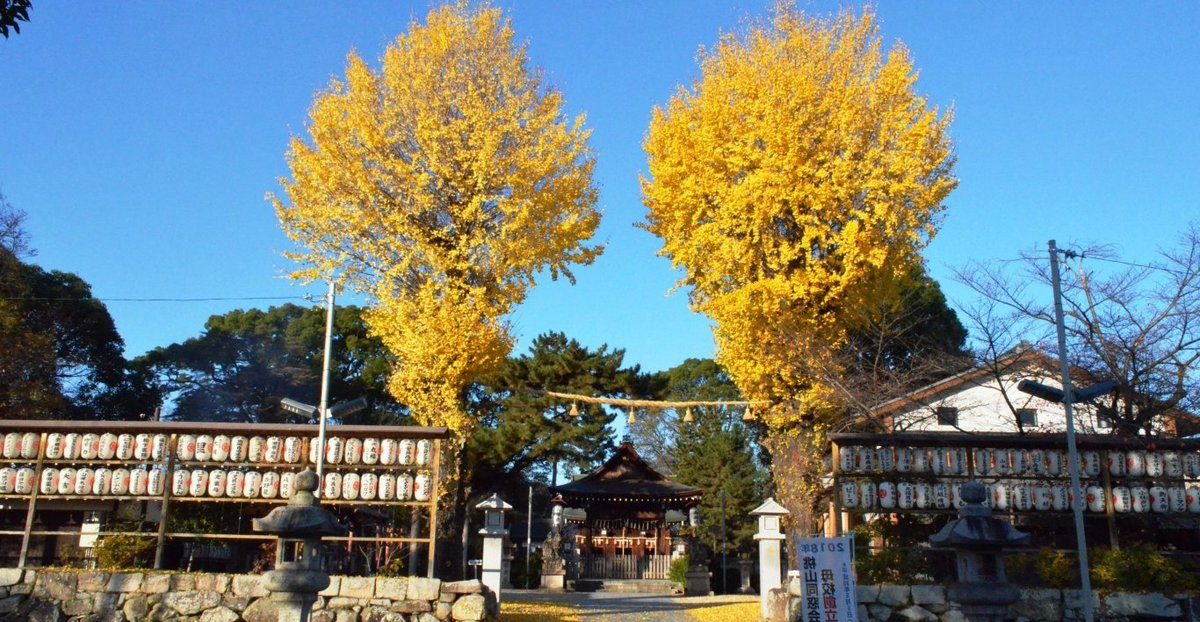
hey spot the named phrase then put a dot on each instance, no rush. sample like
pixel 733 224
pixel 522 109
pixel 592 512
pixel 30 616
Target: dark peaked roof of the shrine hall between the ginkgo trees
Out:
pixel 626 476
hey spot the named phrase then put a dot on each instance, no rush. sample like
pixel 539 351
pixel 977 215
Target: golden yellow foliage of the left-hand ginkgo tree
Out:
pixel 441 184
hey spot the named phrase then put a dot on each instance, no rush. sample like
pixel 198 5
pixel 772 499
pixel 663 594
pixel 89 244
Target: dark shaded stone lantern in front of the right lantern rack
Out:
pixel 979 541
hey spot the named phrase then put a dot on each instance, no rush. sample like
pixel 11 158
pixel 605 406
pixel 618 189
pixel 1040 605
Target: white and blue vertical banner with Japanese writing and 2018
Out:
pixel 827 579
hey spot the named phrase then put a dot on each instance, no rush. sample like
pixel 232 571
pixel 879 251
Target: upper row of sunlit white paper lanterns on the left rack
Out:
pixel 217 448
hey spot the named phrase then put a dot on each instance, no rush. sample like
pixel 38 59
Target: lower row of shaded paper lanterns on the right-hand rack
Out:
pixel 1022 497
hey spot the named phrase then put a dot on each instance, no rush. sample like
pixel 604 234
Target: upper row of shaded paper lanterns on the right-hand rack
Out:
pixel 989 462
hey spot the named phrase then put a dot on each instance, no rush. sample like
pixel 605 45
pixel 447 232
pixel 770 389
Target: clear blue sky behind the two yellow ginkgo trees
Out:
pixel 142 137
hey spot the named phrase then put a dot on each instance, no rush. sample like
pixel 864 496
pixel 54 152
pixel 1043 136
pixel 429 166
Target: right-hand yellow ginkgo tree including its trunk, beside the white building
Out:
pixel 795 181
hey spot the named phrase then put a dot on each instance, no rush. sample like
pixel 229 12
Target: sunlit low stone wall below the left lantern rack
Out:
pixel 79 596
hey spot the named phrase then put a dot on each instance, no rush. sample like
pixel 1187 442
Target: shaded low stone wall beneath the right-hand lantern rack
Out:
pixel 928 603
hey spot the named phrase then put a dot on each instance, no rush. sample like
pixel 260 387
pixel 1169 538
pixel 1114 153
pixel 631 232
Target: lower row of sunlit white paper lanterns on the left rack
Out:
pixel 217 483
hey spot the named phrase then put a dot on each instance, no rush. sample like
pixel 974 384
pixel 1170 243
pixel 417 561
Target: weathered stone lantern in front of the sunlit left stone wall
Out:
pixel 298 573
